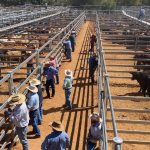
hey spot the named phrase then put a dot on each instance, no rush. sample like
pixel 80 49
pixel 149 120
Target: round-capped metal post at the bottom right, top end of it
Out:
pixel 117 143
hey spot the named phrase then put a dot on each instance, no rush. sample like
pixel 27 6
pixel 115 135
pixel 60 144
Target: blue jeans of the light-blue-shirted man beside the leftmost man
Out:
pixel 34 121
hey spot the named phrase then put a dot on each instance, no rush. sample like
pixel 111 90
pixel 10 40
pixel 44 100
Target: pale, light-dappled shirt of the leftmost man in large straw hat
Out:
pixel 20 115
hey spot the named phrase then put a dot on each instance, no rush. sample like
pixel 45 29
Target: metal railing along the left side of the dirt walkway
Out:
pixel 57 50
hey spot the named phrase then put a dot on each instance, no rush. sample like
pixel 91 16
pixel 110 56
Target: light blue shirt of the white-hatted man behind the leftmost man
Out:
pixel 32 101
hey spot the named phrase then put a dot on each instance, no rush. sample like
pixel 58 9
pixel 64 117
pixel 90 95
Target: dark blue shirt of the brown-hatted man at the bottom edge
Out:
pixel 56 141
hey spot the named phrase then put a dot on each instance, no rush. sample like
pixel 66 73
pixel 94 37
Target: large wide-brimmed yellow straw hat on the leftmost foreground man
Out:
pixel 17 99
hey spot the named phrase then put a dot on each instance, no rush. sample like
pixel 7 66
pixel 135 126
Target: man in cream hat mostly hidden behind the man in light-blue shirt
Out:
pixel 37 83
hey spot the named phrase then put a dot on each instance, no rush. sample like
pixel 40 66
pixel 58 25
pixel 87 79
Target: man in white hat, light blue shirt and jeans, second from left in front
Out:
pixel 33 106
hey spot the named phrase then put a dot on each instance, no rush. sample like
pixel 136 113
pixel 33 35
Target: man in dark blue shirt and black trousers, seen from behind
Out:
pixel 50 73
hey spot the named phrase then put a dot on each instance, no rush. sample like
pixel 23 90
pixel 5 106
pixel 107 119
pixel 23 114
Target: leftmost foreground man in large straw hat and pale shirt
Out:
pixel 19 116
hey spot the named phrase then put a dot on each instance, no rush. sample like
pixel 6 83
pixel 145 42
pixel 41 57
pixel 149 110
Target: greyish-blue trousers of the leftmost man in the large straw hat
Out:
pixel 22 134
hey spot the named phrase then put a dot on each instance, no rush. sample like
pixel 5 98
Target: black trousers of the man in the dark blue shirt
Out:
pixel 50 83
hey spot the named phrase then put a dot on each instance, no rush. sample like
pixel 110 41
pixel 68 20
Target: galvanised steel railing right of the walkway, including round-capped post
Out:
pixel 104 93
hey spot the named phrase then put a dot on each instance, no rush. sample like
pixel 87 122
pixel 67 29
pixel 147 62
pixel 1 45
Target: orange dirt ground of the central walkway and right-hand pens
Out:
pixel 84 100
